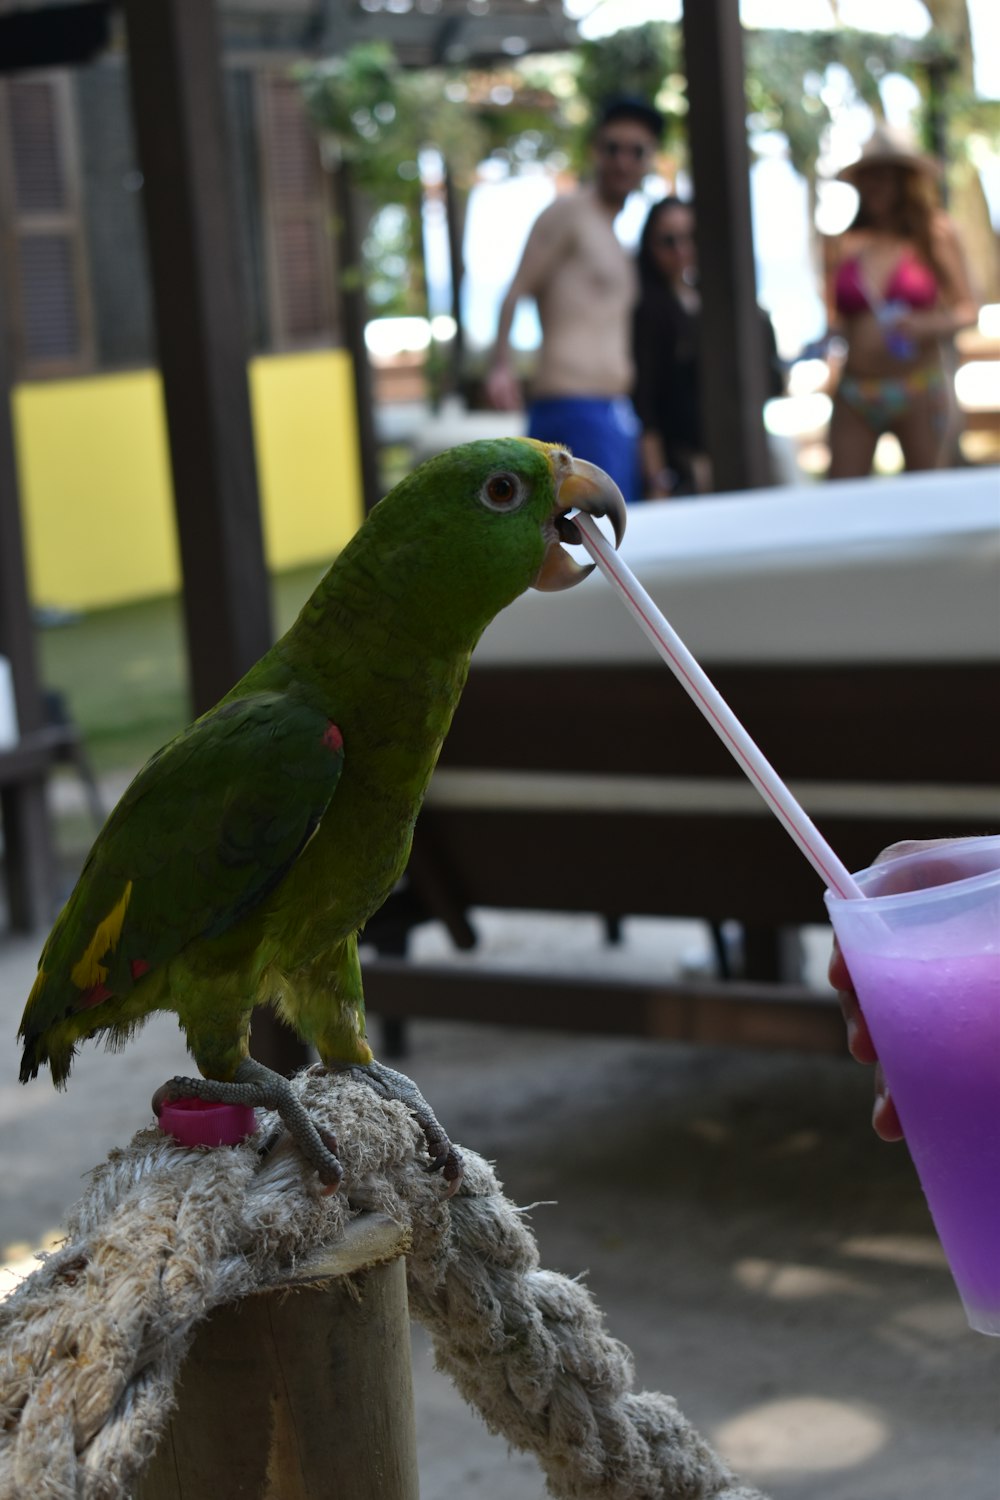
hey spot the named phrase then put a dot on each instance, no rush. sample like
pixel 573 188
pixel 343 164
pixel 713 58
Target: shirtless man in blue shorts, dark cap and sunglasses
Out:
pixel 585 287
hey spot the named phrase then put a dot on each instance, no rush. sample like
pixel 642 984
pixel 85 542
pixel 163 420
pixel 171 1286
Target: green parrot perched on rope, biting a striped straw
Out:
pixel 247 856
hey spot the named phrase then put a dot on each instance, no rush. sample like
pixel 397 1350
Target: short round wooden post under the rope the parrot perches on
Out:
pixel 304 1390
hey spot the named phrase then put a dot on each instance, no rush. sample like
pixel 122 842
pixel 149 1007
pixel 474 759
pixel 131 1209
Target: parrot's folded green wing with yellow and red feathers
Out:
pixel 205 832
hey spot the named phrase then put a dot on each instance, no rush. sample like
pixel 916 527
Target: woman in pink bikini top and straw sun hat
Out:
pixel 899 293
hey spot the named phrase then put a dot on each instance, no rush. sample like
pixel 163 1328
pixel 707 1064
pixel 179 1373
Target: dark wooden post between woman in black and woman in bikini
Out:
pixel 732 350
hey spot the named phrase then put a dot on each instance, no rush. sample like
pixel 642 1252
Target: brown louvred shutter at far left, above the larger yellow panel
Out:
pixel 46 278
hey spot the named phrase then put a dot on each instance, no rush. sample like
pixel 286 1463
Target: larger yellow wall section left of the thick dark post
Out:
pixel 97 490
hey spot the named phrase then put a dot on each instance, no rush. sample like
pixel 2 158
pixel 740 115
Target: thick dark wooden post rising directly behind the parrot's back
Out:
pixel 178 104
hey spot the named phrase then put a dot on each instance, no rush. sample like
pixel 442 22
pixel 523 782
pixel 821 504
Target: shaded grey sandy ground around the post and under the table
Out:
pixel 765 1258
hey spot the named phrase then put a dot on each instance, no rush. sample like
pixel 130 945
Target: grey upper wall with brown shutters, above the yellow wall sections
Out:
pixel 71 214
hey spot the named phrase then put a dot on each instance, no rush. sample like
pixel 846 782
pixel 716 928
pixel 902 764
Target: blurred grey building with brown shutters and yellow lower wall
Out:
pixel 76 283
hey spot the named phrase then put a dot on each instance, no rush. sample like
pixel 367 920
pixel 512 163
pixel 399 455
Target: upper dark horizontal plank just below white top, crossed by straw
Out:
pixel 803 715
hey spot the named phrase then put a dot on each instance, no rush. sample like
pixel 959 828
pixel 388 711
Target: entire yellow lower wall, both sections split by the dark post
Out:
pixel 97 487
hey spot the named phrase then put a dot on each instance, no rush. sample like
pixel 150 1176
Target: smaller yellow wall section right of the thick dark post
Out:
pixel 307 455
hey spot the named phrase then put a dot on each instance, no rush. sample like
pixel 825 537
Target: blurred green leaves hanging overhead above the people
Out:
pixel 379 115
